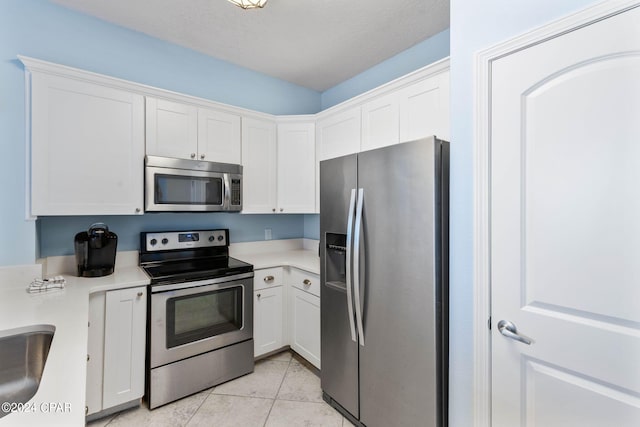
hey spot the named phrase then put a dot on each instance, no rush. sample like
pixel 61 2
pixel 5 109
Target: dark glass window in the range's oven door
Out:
pixel 194 317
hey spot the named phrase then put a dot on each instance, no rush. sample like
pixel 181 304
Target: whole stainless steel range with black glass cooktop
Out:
pixel 200 323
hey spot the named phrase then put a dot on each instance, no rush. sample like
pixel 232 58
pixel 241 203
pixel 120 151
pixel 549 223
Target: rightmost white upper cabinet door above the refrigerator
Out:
pixel 424 109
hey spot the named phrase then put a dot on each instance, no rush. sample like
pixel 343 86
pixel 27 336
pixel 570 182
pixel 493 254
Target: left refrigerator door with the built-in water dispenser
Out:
pixel 339 353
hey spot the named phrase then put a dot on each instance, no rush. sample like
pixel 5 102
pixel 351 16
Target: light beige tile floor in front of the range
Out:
pixel 282 391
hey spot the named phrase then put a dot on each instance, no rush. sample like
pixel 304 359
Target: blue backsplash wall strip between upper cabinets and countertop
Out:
pixel 56 233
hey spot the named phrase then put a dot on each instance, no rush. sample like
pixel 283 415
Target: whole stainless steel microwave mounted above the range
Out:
pixel 180 185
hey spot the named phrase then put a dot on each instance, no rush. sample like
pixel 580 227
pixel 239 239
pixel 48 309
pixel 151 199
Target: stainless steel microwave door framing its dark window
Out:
pixel 169 189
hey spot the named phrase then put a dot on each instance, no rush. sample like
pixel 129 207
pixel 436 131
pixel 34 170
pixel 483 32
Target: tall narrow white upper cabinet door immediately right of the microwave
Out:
pixel 259 166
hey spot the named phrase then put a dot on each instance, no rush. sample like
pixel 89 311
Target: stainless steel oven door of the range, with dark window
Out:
pixel 191 318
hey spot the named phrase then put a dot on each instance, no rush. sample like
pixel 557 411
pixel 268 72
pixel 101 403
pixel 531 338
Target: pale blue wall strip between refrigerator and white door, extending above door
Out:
pixel 475 26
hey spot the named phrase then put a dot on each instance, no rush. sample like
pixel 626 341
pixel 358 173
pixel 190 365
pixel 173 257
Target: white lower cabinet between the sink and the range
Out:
pixel 116 348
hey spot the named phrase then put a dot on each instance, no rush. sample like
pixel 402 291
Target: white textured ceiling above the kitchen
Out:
pixel 312 43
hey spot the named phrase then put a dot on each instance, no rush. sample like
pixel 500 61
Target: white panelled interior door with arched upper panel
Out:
pixel 565 228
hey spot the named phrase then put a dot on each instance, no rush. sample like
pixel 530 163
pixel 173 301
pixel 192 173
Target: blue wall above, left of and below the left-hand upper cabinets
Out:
pixel 46 31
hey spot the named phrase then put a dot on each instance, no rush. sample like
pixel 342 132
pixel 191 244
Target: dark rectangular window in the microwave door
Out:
pixel 187 190
